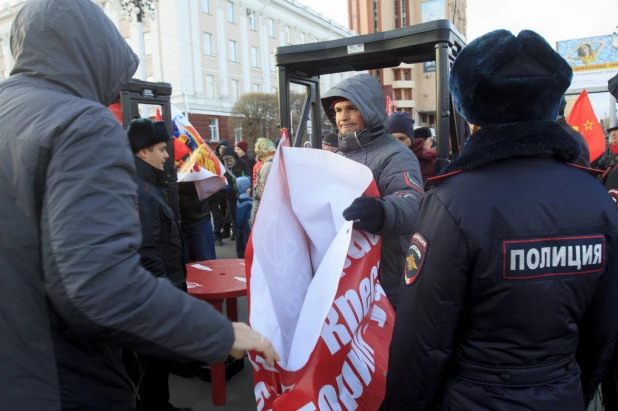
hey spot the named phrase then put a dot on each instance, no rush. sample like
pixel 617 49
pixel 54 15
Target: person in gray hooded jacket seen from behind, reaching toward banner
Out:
pixel 72 291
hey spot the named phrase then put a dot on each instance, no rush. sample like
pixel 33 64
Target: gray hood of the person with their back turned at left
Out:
pixel 74 44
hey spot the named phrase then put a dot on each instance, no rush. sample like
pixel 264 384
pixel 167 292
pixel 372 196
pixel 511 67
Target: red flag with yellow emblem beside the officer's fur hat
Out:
pixel 583 119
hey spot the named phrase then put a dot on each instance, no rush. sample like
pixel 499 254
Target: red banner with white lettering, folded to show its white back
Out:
pixel 342 365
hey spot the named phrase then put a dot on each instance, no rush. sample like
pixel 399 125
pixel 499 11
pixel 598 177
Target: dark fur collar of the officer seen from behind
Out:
pixel 501 141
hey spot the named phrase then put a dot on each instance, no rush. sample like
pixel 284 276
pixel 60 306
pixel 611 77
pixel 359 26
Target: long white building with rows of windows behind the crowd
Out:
pixel 211 51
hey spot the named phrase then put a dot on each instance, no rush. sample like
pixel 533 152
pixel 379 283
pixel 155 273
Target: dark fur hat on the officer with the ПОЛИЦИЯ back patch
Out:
pixel 499 78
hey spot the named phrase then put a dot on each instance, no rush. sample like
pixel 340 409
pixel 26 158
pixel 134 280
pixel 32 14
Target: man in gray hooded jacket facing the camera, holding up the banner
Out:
pixel 356 107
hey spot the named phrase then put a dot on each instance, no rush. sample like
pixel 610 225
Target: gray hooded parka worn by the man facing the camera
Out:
pixel 395 169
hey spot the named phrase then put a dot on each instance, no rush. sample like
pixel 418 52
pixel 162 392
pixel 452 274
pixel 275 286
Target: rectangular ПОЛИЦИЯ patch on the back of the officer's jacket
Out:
pixel 553 257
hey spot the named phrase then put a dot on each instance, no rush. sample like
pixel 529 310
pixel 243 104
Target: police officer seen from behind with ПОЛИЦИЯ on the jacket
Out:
pixel 510 295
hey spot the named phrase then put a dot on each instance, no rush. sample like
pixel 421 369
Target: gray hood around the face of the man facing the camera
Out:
pixel 365 92
